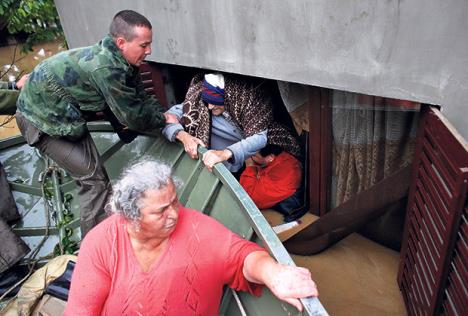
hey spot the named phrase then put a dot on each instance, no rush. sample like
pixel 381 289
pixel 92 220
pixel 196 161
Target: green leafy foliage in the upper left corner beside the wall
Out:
pixel 37 18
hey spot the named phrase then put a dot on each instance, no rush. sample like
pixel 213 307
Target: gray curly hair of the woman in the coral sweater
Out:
pixel 148 174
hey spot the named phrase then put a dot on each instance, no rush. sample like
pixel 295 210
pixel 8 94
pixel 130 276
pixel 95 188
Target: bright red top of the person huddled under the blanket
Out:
pixel 277 181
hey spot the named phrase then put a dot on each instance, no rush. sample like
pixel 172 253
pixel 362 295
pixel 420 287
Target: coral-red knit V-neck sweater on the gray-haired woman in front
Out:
pixel 201 257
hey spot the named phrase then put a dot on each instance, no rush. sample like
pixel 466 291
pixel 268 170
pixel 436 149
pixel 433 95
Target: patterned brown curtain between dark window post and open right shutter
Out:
pixel 373 137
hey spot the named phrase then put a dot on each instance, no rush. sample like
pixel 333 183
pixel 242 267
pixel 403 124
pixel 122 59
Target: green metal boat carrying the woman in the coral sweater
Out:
pixel 47 200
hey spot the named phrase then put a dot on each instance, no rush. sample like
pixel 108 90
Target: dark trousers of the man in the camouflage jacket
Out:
pixel 81 160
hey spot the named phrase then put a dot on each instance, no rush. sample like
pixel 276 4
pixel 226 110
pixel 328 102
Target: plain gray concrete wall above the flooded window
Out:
pixel 409 49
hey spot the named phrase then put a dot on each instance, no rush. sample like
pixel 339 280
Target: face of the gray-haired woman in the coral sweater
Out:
pixel 159 212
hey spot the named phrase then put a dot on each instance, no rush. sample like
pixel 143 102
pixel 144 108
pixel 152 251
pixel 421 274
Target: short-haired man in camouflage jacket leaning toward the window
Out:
pixel 52 105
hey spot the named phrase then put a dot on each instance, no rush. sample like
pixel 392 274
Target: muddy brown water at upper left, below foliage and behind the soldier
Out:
pixel 21 64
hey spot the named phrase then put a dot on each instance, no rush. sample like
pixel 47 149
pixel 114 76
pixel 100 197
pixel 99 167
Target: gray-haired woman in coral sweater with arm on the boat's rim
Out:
pixel 155 256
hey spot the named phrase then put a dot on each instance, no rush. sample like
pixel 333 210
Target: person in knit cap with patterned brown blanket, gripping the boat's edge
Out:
pixel 231 118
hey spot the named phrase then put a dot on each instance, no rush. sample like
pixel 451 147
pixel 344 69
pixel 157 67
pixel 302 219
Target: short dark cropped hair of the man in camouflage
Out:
pixel 124 22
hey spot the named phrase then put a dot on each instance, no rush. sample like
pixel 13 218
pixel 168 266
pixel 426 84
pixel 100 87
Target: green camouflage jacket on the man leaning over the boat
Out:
pixel 87 79
